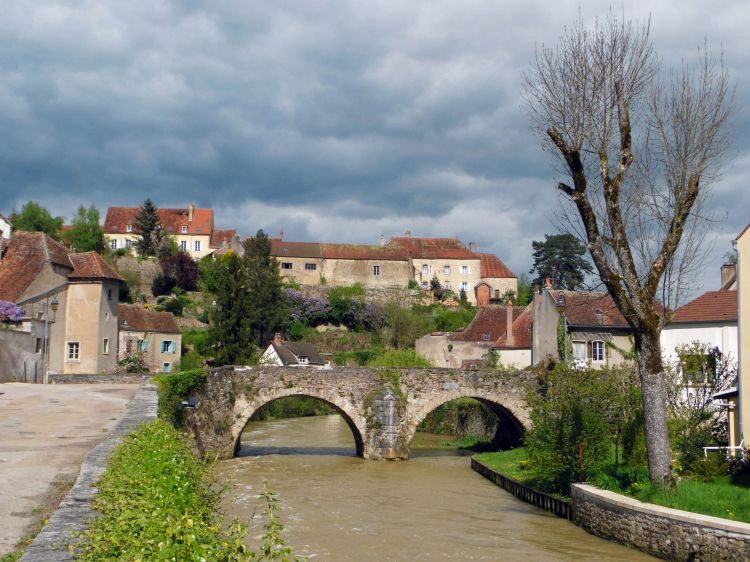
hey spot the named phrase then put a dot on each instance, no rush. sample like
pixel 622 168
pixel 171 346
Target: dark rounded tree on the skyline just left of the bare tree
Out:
pixel 561 258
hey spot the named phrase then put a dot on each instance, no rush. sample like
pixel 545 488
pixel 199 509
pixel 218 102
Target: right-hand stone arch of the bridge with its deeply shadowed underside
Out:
pixel 513 417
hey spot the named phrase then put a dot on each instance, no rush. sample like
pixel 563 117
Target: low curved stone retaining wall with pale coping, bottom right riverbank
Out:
pixel 667 533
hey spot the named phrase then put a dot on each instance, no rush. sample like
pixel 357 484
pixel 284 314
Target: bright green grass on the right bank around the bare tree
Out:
pixel 724 497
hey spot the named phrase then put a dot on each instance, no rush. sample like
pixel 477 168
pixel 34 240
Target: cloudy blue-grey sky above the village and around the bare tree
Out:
pixel 338 121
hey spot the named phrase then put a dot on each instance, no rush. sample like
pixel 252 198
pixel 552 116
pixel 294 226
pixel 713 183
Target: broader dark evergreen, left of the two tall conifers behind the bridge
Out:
pixel 230 335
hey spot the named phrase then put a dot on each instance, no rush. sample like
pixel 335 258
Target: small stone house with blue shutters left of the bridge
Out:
pixel 155 334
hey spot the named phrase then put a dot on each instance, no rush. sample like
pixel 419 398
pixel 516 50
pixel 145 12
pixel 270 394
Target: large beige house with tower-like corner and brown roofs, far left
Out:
pixel 70 303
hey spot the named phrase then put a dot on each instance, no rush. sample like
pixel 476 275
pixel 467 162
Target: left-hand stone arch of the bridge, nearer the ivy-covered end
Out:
pixel 244 410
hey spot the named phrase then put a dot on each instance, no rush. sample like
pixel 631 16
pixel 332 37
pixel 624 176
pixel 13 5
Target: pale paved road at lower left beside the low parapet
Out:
pixel 45 433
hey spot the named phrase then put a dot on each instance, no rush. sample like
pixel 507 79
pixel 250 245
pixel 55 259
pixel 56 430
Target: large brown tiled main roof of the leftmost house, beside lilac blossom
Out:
pixel 25 258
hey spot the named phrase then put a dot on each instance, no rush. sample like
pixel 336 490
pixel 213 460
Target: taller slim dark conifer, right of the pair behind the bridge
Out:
pixel 266 303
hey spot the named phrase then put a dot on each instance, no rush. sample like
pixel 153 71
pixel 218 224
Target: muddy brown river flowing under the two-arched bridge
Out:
pixel 432 507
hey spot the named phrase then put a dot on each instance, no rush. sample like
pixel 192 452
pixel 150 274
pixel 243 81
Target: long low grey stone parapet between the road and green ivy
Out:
pixel 51 544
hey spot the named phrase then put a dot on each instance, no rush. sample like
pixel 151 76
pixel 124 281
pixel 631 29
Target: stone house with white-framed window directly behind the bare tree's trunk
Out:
pixel 597 335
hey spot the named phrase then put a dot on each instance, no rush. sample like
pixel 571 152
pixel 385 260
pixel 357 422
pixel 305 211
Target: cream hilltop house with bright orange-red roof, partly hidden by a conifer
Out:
pixel 192 229
